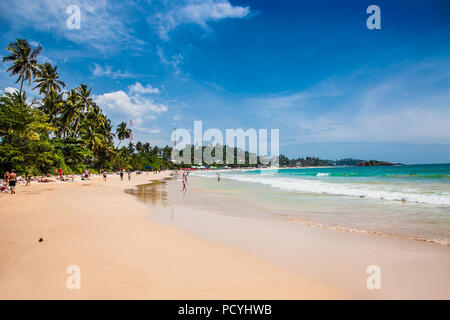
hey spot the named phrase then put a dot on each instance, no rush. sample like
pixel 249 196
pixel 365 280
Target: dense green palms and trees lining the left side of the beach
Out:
pixel 62 129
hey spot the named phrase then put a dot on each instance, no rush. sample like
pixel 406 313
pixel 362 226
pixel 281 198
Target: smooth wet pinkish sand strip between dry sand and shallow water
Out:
pixel 409 269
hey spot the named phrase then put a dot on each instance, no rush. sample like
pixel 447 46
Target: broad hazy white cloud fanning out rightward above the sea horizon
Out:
pixel 408 104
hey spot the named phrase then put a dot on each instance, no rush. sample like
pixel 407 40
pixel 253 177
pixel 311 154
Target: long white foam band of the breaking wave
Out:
pixel 346 189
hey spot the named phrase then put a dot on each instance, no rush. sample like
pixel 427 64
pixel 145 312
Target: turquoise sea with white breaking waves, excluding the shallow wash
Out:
pixel 428 184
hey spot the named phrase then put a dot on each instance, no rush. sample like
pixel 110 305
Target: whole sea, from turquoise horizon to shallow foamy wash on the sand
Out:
pixel 410 202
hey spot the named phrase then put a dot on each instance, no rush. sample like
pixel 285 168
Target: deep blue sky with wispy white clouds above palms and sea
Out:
pixel 309 68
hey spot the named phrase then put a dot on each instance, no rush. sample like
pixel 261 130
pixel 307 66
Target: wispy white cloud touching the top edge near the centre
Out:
pixel 195 11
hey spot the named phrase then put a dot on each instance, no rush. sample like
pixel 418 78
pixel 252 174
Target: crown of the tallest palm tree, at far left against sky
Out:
pixel 24 59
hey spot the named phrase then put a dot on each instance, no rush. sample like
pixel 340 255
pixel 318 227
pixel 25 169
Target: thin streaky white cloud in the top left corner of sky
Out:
pixel 103 26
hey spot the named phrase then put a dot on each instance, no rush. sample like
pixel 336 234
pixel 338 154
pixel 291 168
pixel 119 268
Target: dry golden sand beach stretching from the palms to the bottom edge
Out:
pixel 122 254
